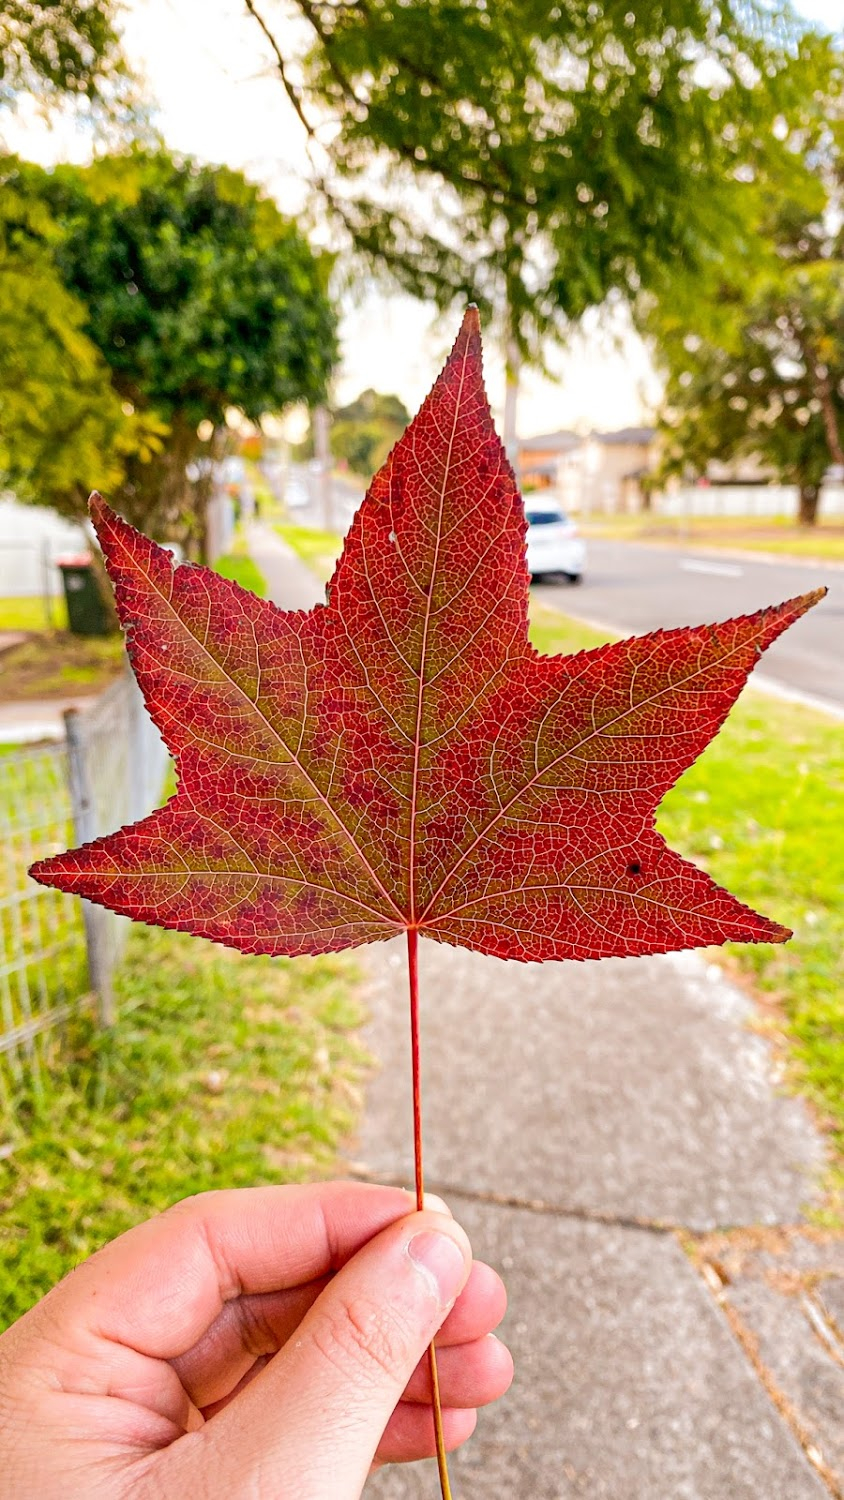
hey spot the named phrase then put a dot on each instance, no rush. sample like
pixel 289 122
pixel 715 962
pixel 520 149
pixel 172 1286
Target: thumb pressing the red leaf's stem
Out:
pixel 311 1423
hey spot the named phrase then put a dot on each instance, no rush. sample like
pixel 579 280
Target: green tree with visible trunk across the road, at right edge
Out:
pixel 758 365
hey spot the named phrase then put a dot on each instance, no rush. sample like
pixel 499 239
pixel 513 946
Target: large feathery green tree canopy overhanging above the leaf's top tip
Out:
pixel 537 155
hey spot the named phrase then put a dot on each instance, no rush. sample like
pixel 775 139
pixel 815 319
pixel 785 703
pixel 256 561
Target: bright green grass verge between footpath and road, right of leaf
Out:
pixel 764 812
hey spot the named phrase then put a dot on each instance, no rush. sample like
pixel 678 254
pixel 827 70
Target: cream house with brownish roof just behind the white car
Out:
pixel 603 472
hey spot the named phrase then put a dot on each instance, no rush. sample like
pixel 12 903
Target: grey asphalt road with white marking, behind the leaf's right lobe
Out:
pixel 636 589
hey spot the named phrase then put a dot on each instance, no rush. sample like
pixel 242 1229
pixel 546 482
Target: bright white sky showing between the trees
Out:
pixel 217 98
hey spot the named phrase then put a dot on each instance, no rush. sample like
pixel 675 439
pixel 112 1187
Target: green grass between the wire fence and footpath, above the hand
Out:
pixel 223 1072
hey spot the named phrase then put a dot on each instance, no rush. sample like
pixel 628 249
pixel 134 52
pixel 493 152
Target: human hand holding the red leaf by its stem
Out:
pixel 256 1343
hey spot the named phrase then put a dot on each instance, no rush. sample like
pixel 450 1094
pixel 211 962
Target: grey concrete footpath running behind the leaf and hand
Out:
pixel 615 1142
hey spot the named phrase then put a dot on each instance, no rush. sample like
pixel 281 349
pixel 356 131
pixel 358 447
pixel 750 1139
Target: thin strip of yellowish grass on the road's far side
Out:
pixel 824 542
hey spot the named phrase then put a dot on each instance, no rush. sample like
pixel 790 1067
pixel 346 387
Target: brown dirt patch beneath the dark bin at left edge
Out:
pixel 56 664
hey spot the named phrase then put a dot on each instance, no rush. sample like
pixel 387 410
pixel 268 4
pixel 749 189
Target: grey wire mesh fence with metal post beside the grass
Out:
pixel 59 953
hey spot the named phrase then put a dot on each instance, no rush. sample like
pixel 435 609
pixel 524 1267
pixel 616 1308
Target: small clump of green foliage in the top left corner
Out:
pixel 59 47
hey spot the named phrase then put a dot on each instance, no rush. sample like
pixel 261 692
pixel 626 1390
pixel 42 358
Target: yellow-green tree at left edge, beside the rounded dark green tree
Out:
pixel 64 430
